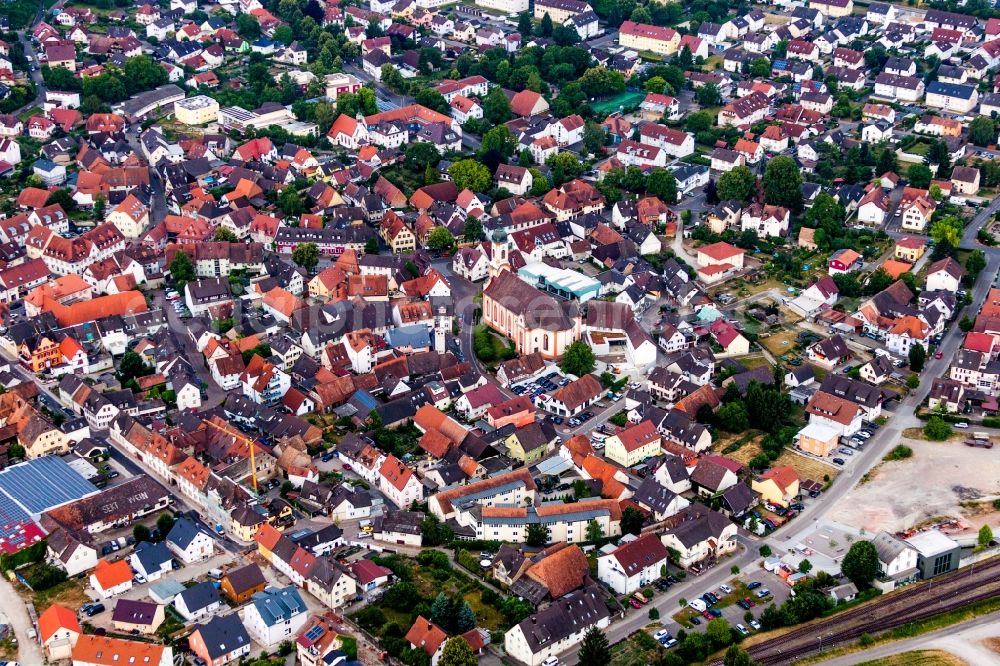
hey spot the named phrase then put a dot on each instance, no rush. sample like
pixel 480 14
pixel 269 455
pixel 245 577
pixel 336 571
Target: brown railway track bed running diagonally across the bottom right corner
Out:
pixel 917 602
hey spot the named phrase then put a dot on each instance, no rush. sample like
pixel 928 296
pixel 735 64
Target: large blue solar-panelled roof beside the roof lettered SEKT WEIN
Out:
pixel 33 487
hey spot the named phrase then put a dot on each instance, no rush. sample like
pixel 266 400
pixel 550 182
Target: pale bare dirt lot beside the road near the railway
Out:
pixel 946 479
